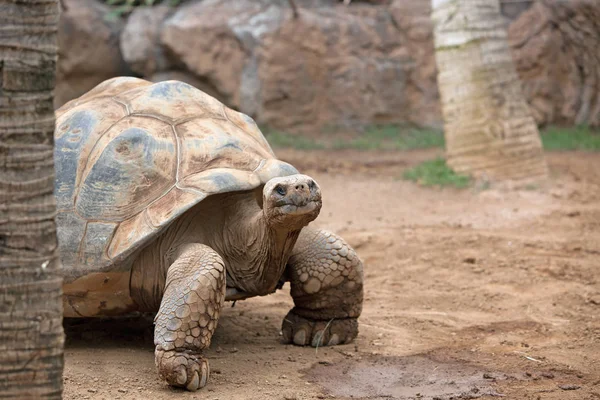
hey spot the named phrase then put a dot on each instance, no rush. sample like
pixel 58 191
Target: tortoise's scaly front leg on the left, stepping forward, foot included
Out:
pixel 189 311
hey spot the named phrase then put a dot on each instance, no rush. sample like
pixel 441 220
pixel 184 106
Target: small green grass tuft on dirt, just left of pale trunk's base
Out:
pixel 436 173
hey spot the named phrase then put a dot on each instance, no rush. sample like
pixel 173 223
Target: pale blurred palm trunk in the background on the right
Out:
pixel 489 129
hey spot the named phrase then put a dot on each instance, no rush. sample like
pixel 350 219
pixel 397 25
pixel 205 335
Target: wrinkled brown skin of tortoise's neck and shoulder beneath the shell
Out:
pixel 234 225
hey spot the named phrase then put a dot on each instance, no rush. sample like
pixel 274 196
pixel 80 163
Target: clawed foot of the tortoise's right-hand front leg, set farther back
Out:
pixel 303 331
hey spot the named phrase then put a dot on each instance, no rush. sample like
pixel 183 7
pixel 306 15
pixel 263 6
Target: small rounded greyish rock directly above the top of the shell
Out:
pixel 140 40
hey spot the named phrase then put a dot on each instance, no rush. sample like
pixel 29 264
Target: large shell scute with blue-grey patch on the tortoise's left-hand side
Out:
pixel 130 166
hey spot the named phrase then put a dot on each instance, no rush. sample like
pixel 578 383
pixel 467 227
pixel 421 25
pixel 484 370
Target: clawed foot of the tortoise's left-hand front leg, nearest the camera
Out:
pixel 182 368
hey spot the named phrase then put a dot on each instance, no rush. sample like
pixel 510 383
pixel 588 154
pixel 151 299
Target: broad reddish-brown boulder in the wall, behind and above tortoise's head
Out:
pixel 334 67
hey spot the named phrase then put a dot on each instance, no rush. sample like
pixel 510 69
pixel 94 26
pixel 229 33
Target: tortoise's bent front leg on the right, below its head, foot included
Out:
pixel 326 277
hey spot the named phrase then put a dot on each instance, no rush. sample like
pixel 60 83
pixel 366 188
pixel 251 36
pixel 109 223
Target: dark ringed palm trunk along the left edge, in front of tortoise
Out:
pixel 31 333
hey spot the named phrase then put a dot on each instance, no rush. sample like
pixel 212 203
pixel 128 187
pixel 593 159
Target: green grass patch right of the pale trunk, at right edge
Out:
pixel 571 138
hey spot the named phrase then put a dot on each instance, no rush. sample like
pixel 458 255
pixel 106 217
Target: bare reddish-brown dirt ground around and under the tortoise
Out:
pixel 479 293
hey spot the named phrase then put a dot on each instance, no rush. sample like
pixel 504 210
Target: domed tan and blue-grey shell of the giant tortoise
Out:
pixel 132 156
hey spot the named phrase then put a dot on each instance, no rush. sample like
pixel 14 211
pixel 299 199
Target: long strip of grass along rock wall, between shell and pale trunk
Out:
pixel 386 137
